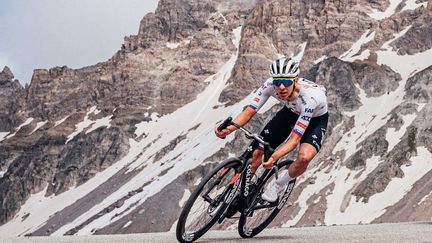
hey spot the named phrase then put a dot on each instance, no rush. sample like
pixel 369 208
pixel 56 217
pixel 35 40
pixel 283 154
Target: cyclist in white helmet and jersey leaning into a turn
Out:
pixel 303 119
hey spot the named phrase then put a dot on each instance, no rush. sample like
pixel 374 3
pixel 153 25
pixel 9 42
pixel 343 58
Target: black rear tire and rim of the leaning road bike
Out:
pixel 246 231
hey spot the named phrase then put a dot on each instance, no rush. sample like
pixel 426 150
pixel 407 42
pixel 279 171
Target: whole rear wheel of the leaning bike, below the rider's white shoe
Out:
pixel 262 213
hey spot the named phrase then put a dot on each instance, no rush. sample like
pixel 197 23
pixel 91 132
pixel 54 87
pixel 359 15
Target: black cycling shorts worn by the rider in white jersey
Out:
pixel 279 128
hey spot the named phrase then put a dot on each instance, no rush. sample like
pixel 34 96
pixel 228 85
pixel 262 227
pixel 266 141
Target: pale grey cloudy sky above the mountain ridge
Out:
pixel 76 33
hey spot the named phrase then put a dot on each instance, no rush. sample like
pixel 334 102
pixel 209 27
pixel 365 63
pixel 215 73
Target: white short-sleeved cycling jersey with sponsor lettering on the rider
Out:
pixel 311 102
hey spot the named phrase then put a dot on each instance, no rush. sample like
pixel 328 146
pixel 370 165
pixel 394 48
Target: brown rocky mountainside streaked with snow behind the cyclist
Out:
pixel 117 147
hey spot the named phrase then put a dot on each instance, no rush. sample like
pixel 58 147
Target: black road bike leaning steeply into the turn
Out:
pixel 230 188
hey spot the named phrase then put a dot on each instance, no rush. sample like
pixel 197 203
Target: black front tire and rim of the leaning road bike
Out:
pixel 183 234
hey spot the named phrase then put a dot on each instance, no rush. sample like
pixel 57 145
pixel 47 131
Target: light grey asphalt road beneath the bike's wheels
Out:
pixel 389 232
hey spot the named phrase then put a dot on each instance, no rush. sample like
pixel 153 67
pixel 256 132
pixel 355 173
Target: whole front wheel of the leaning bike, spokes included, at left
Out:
pixel 206 203
